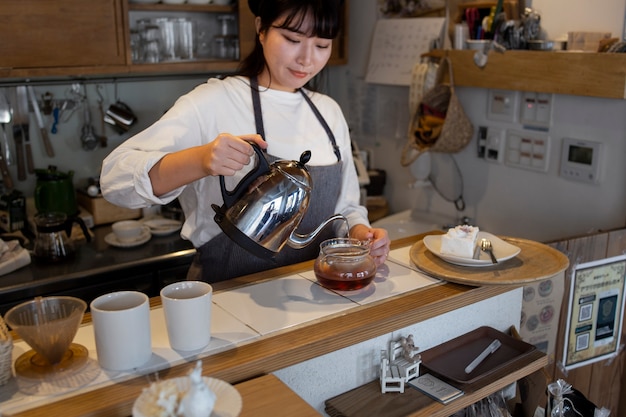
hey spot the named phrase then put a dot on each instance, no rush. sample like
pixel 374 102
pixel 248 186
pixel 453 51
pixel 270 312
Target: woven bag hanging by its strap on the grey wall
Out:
pixel 439 124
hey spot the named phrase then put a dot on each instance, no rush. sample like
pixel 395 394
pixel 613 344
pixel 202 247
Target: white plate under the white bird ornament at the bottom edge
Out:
pixel 228 401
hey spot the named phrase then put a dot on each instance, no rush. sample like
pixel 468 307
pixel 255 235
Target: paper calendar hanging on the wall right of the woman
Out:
pixel 397 46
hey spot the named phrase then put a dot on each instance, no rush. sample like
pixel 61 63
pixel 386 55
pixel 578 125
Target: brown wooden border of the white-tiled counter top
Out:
pixel 289 347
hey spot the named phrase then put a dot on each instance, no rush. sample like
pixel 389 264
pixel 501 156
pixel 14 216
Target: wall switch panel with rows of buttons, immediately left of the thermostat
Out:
pixel 527 150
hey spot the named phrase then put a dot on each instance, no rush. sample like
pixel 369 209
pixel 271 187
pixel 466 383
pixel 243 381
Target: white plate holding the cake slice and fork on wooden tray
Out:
pixel 501 249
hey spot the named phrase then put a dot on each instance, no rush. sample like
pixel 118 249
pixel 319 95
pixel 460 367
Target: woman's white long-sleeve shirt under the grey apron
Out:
pixel 225 106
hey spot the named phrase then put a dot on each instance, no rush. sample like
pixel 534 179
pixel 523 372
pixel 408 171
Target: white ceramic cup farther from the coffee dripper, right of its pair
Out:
pixel 187 309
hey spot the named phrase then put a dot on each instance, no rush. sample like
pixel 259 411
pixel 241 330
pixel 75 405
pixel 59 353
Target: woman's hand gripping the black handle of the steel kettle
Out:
pixel 228 154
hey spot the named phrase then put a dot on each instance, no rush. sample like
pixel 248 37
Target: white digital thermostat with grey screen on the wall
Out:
pixel 581 160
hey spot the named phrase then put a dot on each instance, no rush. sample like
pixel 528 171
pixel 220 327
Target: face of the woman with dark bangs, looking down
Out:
pixel 292 57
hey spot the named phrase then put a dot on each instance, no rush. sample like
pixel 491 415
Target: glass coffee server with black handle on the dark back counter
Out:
pixel 53 242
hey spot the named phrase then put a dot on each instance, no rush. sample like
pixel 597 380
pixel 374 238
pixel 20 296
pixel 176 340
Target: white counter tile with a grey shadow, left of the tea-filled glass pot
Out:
pixel 281 303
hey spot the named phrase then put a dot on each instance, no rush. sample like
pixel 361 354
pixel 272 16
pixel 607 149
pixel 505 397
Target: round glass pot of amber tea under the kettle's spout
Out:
pixel 344 264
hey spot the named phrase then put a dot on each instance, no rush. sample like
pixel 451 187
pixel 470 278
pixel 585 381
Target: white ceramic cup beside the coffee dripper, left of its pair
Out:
pixel 121 323
